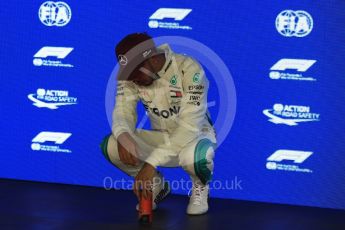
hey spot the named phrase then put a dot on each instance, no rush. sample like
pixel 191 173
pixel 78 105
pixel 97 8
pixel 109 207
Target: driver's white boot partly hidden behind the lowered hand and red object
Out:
pixel 160 189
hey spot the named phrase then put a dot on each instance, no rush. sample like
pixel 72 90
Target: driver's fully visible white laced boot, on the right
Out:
pixel 198 202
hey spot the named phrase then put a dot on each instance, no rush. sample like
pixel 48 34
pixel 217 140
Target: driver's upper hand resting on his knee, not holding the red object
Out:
pixel 128 149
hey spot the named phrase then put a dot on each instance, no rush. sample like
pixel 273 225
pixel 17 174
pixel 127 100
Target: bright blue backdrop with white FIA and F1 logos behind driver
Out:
pixel 287 63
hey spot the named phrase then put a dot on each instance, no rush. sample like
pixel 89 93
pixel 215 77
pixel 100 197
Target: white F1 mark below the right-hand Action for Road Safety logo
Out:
pixel 294 155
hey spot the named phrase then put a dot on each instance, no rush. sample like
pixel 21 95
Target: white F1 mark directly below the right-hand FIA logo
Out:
pixel 300 65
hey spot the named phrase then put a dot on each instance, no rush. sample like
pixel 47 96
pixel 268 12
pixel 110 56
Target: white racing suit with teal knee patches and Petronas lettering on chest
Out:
pixel 182 133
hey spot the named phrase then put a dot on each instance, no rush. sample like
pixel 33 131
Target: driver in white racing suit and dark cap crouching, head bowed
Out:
pixel 173 89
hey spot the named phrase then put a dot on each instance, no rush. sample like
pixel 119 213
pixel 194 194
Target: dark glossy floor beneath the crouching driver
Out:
pixel 33 205
